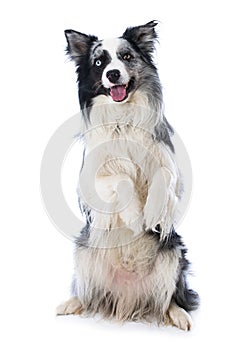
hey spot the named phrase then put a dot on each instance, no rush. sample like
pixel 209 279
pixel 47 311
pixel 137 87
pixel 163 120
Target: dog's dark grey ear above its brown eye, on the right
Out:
pixel 143 36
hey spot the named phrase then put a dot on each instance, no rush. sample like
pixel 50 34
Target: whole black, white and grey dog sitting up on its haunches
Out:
pixel 130 264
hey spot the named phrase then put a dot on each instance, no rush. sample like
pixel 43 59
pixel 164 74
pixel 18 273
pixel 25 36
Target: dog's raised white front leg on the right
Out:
pixel 161 204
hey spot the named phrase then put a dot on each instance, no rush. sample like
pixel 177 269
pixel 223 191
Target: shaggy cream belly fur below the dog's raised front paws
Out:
pixel 133 281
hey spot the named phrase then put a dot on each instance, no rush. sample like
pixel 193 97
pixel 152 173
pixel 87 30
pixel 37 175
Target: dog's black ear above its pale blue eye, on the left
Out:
pixel 78 44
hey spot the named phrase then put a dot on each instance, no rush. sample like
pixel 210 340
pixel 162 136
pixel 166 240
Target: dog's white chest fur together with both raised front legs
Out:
pixel 119 144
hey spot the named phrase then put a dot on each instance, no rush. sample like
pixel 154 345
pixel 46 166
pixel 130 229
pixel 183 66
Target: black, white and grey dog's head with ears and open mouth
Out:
pixel 115 68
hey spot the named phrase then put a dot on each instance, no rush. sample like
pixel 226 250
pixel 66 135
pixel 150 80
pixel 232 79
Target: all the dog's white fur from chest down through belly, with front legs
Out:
pixel 128 180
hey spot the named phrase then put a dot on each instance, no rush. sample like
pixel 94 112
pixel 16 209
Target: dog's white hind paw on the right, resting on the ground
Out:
pixel 178 317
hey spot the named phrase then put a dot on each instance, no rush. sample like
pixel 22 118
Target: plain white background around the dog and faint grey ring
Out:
pixel 38 93
